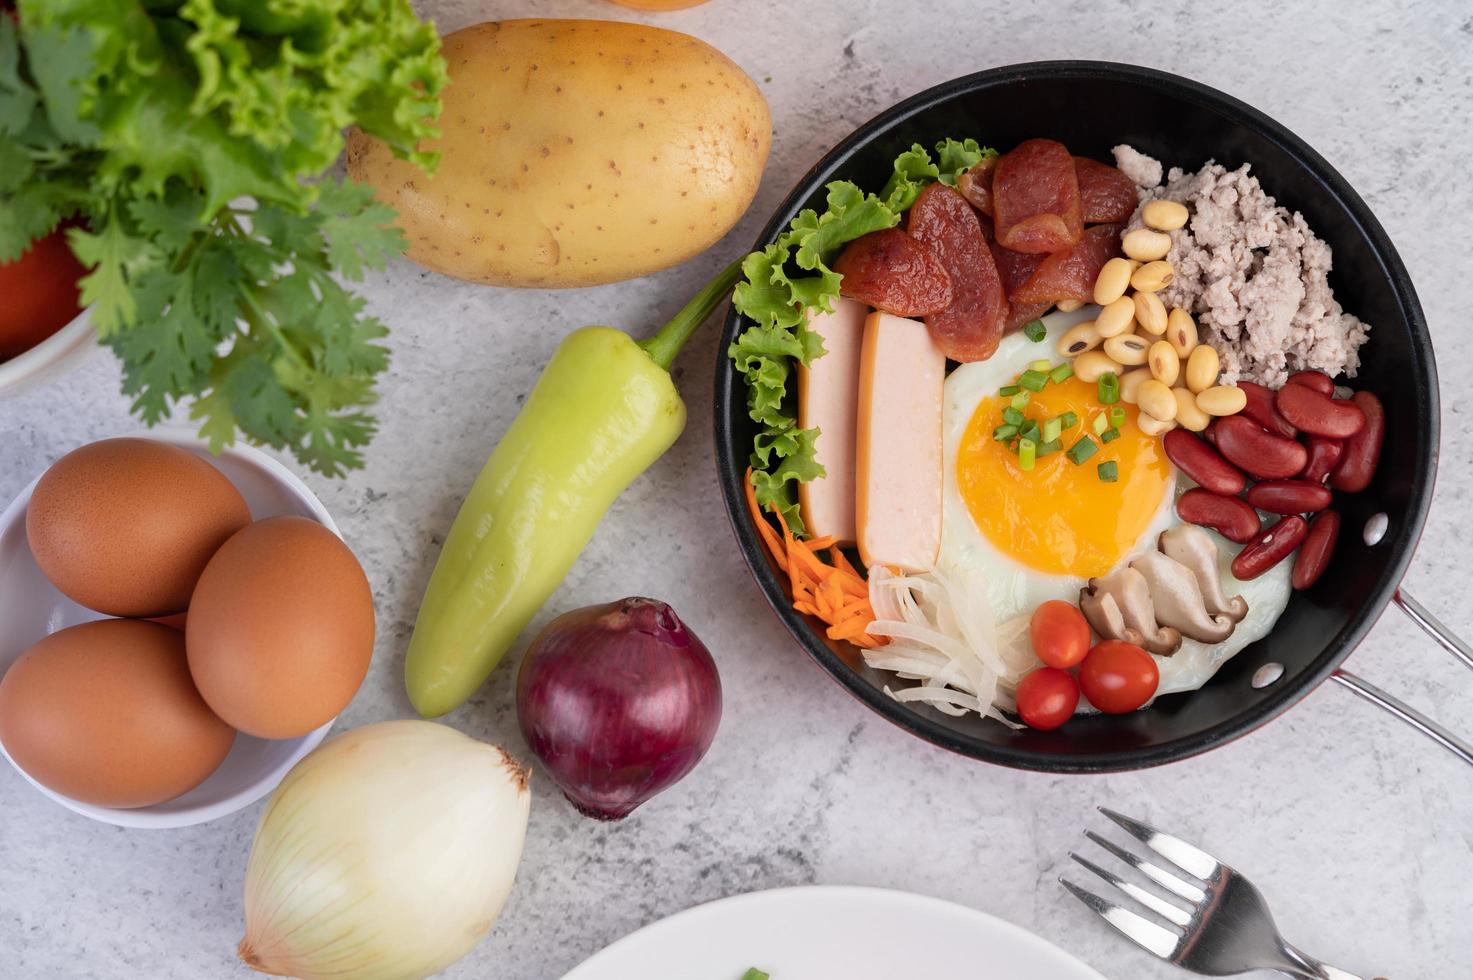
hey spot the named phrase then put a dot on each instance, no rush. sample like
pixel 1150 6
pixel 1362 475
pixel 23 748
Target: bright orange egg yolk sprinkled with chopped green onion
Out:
pixel 1061 517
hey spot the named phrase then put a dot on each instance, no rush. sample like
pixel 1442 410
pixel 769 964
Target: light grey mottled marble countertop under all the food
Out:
pixel 1357 829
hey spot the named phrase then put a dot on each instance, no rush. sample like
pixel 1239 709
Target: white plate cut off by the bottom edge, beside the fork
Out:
pixel 833 934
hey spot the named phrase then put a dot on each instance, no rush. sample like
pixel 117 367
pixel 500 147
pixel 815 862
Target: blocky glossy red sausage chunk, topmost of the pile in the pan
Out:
pixel 1036 198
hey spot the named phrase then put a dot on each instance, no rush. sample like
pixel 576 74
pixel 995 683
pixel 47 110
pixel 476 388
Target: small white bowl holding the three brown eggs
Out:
pixel 32 609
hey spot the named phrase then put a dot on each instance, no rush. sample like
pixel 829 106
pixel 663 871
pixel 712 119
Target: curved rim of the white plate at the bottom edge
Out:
pixel 597 966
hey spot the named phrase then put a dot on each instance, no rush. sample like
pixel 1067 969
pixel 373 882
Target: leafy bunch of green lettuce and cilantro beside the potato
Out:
pixel 189 139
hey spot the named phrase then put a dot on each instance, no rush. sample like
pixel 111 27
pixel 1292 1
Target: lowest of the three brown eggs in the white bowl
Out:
pixel 107 714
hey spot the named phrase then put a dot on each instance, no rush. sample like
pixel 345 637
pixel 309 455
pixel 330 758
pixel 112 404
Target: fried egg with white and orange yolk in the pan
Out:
pixel 1042 534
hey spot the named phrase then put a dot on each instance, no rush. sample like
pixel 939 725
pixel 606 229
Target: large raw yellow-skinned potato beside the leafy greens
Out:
pixel 577 153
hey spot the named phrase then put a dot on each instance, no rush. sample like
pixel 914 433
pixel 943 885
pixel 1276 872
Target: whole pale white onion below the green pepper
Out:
pixel 385 855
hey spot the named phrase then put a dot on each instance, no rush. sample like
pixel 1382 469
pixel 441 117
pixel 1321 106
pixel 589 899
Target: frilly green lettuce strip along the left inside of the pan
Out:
pixel 789 279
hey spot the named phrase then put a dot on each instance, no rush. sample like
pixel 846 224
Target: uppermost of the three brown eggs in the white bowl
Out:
pixel 126 527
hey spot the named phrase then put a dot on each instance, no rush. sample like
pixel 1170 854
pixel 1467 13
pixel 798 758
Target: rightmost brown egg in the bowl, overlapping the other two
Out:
pixel 281 629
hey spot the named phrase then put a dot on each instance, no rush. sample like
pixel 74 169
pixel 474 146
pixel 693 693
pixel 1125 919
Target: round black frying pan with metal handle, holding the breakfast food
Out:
pixel 1092 107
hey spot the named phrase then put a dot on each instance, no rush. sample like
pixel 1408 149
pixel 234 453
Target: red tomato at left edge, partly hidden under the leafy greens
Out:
pixel 38 294
